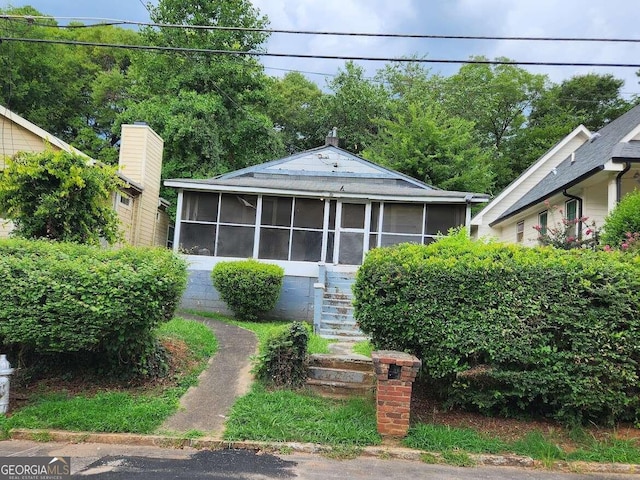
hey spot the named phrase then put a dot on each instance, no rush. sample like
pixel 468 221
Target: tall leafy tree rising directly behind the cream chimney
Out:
pixel 209 109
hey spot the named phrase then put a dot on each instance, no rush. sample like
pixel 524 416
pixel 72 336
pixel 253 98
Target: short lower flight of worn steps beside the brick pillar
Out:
pixel 341 376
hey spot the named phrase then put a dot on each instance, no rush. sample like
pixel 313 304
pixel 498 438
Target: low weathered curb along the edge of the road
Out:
pixel 382 452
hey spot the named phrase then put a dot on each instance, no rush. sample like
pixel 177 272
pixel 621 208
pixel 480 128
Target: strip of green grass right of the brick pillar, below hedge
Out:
pixel 444 439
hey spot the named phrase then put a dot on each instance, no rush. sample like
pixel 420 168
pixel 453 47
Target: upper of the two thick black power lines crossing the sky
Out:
pixel 113 21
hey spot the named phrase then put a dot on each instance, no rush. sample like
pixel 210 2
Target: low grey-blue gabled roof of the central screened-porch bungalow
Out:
pixel 325 170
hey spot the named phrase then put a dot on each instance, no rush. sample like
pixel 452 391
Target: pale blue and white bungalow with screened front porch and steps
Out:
pixel 315 213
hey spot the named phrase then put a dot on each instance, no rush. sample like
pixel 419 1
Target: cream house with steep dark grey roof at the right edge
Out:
pixel 584 175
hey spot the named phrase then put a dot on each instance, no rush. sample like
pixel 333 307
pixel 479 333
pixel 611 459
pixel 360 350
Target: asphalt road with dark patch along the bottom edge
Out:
pixel 114 462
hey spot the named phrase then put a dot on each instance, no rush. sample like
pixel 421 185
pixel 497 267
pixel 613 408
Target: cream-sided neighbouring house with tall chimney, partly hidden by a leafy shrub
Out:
pixel 142 212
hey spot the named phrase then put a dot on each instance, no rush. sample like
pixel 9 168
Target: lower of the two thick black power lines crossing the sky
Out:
pixel 320 57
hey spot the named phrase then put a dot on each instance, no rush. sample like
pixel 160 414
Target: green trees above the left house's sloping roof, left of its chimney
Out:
pixel 69 91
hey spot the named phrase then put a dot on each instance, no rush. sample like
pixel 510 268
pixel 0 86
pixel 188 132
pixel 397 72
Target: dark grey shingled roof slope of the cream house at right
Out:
pixel 585 161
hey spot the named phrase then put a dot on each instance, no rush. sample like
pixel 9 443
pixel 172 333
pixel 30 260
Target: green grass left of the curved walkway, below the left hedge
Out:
pixel 118 411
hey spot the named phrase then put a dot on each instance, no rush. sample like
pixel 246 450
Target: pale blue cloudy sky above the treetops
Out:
pixel 502 18
